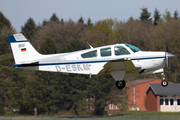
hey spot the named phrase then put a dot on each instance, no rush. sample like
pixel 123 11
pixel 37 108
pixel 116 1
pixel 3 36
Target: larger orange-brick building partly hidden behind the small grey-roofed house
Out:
pixel 137 95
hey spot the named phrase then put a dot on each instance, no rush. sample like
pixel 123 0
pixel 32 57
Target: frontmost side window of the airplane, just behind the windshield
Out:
pixel 119 50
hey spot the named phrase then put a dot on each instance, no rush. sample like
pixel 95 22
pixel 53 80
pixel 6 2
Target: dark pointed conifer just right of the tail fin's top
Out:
pixel 29 28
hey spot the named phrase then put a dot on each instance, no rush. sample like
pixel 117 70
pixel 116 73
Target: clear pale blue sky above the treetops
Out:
pixel 19 11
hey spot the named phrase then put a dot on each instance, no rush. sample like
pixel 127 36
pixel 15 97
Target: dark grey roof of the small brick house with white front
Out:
pixel 171 89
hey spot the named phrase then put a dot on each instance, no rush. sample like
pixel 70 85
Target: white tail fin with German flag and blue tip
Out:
pixel 23 51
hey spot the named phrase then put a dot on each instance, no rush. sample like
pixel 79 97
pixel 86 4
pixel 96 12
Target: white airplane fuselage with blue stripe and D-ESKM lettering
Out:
pixel 149 62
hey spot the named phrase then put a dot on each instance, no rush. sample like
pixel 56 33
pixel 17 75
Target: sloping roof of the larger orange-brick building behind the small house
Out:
pixel 141 81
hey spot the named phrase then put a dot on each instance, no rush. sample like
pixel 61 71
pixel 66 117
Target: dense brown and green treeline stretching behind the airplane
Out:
pixel 34 92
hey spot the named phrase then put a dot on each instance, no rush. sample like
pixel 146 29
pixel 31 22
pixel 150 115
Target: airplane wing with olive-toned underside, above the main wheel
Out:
pixel 118 65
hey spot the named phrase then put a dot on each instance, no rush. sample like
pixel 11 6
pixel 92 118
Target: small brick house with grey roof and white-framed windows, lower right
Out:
pixel 163 99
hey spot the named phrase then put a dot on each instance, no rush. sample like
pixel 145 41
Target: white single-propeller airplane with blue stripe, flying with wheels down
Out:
pixel 121 61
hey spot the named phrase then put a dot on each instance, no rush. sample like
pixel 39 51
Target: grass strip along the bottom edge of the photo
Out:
pixel 129 116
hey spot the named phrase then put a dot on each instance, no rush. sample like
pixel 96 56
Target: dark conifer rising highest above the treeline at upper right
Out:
pixel 145 15
